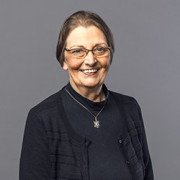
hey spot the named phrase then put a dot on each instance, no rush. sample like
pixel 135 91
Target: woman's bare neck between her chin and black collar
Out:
pixel 93 94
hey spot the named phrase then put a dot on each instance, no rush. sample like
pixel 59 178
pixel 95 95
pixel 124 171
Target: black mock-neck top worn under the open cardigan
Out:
pixel 106 160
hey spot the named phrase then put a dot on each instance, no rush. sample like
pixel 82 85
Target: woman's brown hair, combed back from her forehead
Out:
pixel 85 19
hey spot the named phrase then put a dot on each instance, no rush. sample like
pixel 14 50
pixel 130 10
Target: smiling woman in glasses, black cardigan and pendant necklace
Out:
pixel 85 131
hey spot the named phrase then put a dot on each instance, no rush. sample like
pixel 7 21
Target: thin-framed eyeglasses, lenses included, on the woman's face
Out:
pixel 81 52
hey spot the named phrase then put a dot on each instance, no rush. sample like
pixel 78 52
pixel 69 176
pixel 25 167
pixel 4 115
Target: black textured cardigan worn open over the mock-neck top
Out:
pixel 53 151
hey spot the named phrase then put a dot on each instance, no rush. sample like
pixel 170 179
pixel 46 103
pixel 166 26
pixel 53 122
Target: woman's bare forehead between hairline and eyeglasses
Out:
pixel 86 36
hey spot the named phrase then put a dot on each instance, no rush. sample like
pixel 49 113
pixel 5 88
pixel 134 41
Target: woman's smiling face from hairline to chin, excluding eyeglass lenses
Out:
pixel 88 72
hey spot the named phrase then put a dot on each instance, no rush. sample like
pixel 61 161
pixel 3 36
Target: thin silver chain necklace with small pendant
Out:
pixel 96 123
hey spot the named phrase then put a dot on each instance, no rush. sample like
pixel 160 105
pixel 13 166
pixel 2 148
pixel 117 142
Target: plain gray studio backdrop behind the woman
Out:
pixel 146 65
